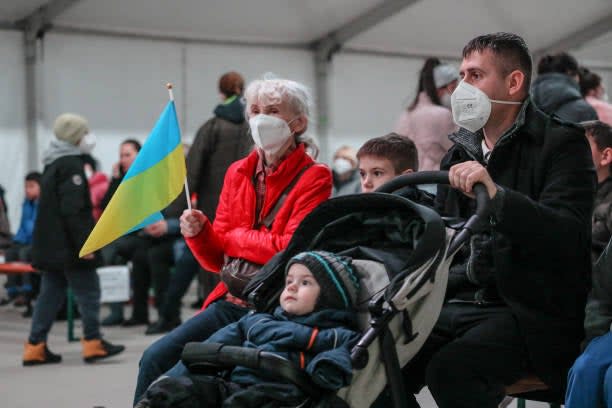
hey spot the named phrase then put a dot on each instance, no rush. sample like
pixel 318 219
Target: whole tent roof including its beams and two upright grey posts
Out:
pixel 410 28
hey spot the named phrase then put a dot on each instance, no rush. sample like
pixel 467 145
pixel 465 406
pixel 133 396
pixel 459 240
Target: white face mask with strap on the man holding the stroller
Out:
pixel 471 107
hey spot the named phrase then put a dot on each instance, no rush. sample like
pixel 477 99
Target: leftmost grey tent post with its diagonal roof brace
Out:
pixel 34 26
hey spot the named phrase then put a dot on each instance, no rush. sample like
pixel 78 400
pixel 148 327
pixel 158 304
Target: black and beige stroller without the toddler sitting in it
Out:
pixel 402 252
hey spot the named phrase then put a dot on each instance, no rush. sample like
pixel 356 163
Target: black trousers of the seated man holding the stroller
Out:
pixel 471 354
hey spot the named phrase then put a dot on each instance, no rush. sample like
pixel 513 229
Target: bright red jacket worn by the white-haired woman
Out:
pixel 232 232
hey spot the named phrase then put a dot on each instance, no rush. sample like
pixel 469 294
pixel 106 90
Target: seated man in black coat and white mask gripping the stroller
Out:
pixel 517 306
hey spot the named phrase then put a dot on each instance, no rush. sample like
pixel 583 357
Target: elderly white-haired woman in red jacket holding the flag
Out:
pixel 264 198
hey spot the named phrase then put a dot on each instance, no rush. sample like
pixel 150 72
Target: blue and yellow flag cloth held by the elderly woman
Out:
pixel 153 181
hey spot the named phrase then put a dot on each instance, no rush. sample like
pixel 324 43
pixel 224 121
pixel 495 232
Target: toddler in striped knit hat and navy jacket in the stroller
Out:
pixel 314 327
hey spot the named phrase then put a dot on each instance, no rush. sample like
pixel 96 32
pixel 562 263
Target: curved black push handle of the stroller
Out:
pixel 483 202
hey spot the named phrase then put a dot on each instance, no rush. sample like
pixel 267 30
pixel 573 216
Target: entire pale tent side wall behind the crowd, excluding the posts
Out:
pixel 118 84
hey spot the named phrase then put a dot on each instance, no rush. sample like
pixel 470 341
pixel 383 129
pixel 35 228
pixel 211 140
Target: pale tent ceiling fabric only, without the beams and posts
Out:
pixel 425 27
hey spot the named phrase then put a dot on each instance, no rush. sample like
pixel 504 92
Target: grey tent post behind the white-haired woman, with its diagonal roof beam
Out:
pixel 325 47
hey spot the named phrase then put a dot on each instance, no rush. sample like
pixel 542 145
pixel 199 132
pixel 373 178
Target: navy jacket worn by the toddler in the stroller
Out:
pixel 327 360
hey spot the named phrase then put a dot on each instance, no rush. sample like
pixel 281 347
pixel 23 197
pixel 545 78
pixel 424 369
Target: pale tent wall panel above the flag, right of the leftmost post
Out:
pixel 117 84
